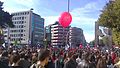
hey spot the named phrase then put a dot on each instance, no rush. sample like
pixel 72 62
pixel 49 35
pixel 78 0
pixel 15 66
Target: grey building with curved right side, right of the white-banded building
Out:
pixel 76 37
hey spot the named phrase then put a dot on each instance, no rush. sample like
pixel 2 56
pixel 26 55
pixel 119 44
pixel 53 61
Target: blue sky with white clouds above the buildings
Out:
pixel 84 12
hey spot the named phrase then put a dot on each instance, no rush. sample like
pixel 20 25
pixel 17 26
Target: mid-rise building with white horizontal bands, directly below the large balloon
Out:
pixel 58 34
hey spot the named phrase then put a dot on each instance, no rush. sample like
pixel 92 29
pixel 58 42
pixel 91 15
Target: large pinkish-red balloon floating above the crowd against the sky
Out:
pixel 65 19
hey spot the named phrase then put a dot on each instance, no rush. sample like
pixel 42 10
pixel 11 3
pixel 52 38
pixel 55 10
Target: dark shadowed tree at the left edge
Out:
pixel 5 21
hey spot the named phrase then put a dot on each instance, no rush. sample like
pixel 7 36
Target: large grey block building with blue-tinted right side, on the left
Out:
pixel 29 29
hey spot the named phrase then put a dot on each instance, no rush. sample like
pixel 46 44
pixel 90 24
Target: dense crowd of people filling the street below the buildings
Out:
pixel 35 57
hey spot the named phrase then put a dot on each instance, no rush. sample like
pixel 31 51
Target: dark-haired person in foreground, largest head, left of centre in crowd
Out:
pixel 43 58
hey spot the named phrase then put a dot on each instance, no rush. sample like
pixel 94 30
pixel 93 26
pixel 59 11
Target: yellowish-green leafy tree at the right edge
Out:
pixel 110 18
